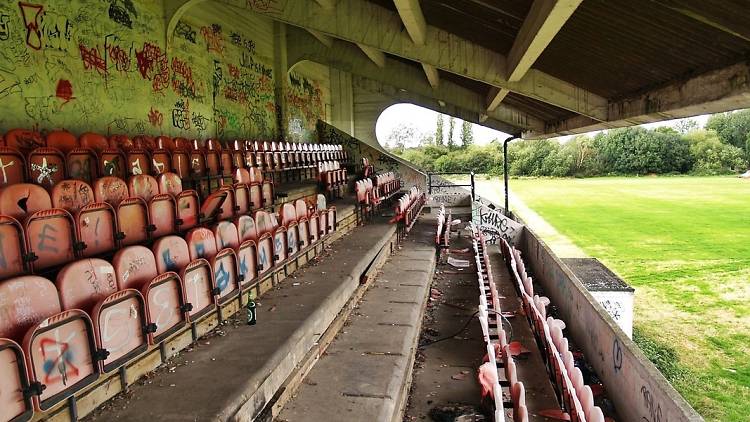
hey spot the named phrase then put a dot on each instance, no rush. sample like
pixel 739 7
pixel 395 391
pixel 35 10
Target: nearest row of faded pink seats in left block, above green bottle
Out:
pixel 56 338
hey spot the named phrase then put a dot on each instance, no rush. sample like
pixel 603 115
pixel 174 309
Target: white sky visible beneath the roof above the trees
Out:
pixel 424 121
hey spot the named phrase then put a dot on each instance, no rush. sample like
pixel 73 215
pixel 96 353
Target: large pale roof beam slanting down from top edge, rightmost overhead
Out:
pixel 544 21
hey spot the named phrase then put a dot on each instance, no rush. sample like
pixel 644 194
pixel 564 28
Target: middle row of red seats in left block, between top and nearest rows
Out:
pixel 75 220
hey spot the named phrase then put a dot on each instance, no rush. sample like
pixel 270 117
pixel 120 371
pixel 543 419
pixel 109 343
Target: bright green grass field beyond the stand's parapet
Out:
pixel 684 244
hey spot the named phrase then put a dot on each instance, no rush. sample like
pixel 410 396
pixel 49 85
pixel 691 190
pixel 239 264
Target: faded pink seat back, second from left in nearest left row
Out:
pixel 83 283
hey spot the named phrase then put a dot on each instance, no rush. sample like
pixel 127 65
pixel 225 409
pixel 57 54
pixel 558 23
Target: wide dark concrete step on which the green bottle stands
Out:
pixel 235 373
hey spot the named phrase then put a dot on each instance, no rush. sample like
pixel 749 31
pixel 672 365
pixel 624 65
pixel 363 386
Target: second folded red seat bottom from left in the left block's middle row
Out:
pixel 51 238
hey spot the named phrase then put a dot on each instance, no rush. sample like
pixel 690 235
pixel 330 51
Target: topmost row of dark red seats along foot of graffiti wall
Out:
pixel 27 156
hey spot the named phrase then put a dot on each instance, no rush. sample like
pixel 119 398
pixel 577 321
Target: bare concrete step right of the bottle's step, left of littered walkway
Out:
pixel 365 373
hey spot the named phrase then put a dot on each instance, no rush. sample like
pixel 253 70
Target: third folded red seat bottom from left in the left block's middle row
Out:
pixel 97 228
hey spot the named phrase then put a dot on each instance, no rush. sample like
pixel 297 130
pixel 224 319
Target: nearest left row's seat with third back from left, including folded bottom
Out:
pixel 136 268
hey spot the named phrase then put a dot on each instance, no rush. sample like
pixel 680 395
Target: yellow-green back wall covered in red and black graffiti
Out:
pixel 103 66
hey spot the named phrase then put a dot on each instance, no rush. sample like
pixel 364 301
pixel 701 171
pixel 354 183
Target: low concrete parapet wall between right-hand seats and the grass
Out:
pixel 638 389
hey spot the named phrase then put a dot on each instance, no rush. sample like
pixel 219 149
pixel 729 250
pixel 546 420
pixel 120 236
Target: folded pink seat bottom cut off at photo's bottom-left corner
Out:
pixel 14 406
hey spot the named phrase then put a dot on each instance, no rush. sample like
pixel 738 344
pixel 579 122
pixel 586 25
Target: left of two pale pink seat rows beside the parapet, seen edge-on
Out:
pixel 496 341
